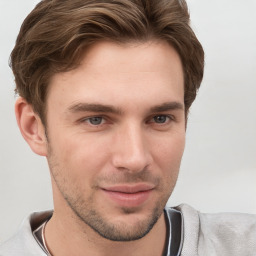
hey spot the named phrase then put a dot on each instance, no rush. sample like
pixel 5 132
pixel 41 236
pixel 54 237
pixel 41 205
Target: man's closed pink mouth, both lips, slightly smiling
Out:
pixel 129 195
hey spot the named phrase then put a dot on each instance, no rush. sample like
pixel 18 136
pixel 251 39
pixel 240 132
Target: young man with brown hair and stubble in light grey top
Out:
pixel 105 88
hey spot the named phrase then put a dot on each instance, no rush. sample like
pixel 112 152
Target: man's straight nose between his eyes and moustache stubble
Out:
pixel 131 150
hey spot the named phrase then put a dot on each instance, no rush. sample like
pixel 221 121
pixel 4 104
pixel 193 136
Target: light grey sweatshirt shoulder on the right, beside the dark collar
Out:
pixel 218 234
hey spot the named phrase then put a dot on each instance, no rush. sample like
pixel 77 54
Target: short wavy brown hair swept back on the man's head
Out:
pixel 55 34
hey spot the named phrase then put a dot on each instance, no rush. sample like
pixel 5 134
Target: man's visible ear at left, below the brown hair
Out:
pixel 31 127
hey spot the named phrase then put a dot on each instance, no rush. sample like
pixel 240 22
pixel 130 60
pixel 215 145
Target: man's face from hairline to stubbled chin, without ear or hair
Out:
pixel 116 132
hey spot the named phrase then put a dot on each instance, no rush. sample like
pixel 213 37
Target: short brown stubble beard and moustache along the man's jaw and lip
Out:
pixel 86 211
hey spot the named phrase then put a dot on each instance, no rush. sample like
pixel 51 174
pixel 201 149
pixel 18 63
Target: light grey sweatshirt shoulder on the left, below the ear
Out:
pixel 23 242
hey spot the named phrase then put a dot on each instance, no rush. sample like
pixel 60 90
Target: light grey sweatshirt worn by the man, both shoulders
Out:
pixel 191 233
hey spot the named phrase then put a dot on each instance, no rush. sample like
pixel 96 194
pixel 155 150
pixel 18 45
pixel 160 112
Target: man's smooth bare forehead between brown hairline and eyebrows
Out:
pixel 119 73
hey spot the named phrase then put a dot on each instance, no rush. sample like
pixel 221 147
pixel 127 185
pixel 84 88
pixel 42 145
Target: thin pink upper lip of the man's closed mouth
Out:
pixel 129 189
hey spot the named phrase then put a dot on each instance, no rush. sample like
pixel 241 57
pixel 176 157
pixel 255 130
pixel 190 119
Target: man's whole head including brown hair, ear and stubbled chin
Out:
pixel 106 87
